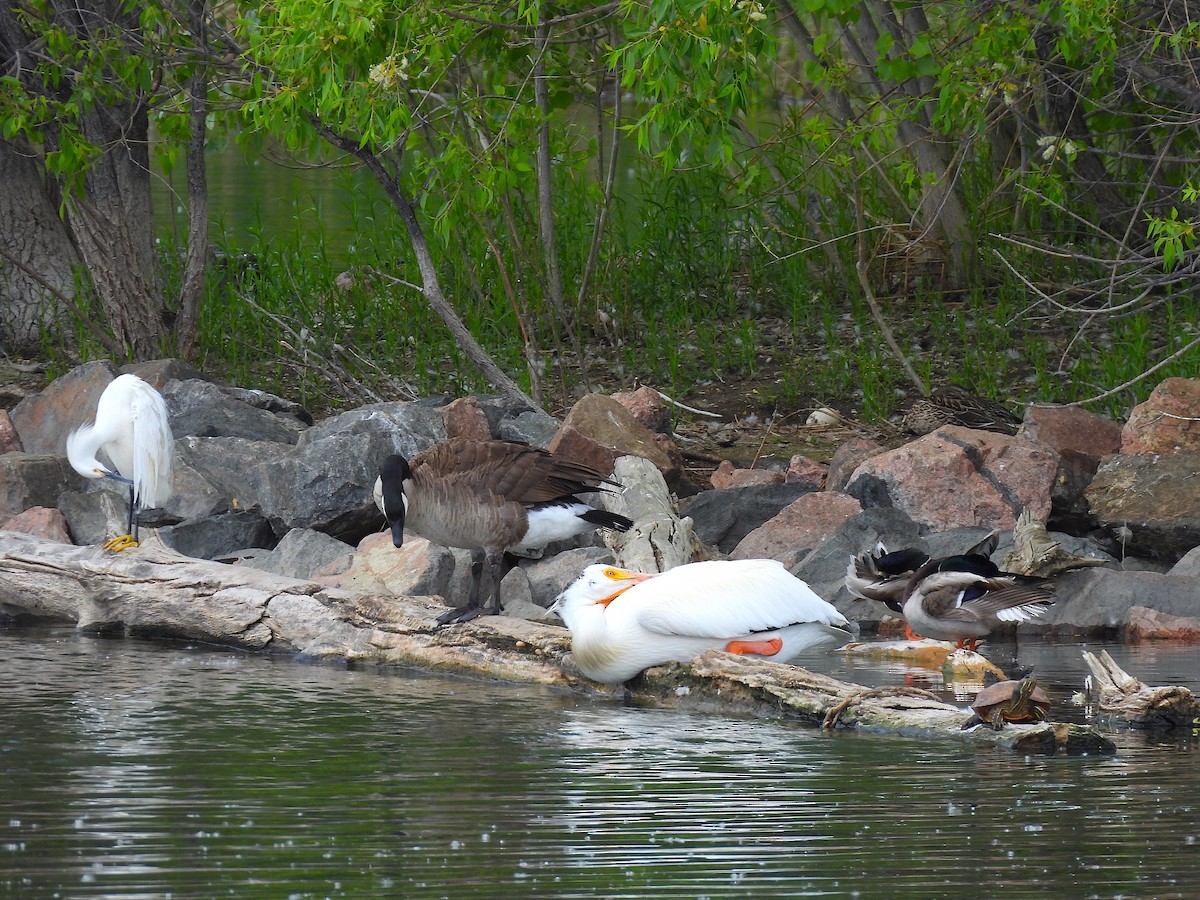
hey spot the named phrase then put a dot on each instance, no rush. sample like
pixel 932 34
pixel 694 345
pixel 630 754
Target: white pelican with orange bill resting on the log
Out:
pixel 623 622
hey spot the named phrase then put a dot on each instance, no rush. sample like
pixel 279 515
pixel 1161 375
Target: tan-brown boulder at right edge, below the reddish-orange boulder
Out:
pixel 1157 499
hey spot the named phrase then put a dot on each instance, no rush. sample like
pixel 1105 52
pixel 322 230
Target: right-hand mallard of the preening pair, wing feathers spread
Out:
pixel 950 602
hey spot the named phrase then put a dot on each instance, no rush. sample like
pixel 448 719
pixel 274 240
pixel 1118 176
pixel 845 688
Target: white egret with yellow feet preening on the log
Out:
pixel 134 431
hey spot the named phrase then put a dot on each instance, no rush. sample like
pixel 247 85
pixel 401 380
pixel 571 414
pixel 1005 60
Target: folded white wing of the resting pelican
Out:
pixel 724 599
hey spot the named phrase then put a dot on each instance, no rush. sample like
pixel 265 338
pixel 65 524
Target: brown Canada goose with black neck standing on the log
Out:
pixel 489 497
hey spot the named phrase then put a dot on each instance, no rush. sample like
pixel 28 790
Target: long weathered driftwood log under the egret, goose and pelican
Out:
pixel 153 591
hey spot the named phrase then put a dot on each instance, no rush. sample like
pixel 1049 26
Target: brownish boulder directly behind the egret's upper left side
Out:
pixel 44 421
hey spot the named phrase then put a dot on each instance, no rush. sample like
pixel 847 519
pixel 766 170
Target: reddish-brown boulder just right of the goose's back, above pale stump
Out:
pixel 598 430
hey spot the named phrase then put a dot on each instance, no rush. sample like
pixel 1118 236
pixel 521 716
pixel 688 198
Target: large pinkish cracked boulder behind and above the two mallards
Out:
pixel 961 477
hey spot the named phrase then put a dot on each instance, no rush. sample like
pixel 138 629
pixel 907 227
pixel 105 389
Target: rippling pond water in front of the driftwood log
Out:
pixel 151 770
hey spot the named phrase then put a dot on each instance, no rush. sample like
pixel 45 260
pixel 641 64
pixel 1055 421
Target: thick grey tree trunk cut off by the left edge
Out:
pixel 37 256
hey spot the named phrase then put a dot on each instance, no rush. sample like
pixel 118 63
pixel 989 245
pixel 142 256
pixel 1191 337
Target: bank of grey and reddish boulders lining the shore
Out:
pixel 260 484
